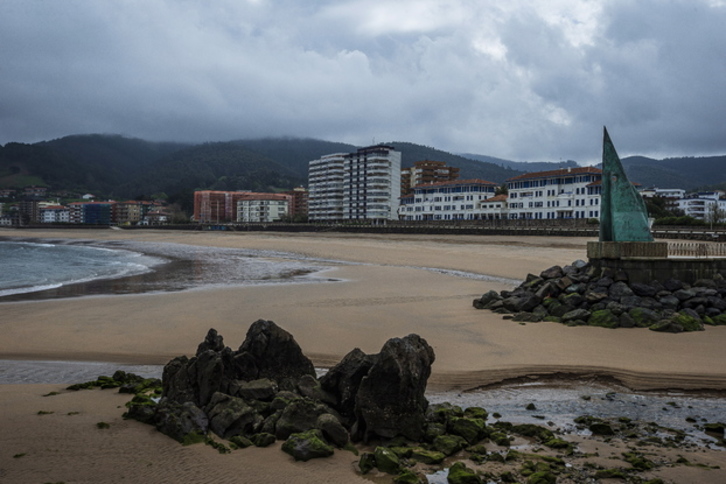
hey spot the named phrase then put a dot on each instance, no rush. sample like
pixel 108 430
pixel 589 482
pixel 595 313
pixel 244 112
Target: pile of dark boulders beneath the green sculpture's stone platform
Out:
pixel 581 294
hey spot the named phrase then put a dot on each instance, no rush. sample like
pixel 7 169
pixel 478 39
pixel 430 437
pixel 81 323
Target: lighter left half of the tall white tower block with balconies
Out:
pixel 325 187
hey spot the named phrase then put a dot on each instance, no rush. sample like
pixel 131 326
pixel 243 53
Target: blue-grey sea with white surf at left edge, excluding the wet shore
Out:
pixel 30 267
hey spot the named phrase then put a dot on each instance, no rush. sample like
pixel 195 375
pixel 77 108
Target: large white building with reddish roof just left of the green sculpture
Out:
pixel 563 193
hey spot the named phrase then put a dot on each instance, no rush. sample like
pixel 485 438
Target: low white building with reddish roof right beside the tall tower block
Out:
pixel 448 200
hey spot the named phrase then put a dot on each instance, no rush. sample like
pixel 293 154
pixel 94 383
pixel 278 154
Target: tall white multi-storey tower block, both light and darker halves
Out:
pixel 365 185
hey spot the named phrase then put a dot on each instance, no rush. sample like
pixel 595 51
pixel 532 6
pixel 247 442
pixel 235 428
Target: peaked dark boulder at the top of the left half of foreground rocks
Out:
pixel 269 351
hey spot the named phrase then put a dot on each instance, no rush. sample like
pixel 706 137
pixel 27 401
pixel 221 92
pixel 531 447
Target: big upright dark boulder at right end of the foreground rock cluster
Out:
pixel 390 400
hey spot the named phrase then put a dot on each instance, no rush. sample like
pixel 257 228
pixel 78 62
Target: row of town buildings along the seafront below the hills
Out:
pixel 368 185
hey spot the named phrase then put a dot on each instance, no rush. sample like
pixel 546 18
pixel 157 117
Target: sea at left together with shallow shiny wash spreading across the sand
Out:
pixel 39 269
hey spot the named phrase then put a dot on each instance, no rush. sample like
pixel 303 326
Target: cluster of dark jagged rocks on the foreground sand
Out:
pixel 267 390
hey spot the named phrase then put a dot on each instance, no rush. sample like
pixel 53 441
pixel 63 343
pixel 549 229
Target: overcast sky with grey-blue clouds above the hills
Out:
pixel 515 79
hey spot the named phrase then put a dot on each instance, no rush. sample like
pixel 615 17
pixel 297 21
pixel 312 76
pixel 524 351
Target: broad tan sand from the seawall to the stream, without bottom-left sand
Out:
pixel 388 294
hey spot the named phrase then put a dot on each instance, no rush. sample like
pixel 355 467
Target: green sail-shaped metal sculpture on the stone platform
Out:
pixel 623 216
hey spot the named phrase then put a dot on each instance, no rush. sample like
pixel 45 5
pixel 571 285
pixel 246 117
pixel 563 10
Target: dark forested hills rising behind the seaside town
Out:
pixel 112 166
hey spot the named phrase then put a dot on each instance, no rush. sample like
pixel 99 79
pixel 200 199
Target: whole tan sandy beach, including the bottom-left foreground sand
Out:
pixel 397 285
